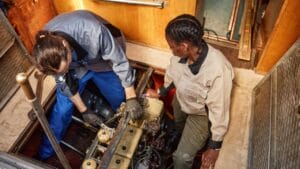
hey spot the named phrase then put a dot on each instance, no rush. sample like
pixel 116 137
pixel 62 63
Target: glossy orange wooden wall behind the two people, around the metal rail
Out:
pixel 141 24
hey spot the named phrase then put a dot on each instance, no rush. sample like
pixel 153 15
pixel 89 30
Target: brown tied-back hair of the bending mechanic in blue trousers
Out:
pixel 48 52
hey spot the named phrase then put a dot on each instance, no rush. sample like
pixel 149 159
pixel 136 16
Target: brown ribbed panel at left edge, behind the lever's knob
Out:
pixel 12 60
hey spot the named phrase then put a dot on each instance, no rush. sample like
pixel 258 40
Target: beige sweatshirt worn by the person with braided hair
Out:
pixel 211 86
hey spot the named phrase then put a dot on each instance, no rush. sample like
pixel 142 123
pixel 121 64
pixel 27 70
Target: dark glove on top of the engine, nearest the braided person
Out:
pixel 134 108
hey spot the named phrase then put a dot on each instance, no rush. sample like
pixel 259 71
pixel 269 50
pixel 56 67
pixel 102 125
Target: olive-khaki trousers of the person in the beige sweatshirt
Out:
pixel 194 130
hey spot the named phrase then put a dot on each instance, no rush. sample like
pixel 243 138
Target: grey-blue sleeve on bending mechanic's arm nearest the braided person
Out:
pixel 114 53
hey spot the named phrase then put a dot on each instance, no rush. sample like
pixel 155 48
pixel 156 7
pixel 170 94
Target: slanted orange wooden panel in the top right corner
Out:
pixel 285 32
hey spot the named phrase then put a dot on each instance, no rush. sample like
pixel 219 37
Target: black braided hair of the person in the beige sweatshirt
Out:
pixel 185 27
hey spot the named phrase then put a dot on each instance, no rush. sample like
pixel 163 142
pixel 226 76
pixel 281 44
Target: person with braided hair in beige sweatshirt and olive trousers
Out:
pixel 203 78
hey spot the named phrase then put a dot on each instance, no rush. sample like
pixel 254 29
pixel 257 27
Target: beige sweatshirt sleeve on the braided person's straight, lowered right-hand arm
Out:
pixel 218 103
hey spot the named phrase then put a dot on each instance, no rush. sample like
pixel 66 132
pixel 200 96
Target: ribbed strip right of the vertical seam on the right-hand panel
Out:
pixel 287 122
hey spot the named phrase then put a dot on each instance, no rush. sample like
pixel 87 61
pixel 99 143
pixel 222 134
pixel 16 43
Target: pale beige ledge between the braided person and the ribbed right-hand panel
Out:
pixel 234 152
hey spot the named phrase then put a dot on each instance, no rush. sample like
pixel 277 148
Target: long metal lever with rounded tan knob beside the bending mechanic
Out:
pixel 22 79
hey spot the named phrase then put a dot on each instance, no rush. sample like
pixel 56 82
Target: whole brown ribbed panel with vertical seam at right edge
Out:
pixel 275 136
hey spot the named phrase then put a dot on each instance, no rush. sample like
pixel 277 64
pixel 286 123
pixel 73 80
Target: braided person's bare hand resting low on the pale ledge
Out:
pixel 209 158
